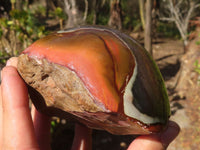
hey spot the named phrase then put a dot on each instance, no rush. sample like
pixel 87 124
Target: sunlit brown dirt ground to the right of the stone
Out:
pixel 185 110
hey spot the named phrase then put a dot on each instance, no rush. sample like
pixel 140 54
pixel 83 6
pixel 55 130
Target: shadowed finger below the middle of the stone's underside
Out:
pixel 82 138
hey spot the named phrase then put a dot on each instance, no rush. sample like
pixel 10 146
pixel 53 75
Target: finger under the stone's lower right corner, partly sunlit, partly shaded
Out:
pixel 157 142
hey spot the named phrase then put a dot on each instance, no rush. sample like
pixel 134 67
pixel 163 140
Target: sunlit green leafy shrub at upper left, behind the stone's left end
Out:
pixel 18 29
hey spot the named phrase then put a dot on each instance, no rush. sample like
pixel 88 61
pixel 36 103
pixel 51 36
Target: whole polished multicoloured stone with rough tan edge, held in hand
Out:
pixel 101 77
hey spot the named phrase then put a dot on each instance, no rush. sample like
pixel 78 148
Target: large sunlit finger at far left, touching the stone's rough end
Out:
pixel 18 131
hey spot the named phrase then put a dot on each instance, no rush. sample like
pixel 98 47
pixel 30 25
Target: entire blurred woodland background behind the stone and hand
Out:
pixel 168 29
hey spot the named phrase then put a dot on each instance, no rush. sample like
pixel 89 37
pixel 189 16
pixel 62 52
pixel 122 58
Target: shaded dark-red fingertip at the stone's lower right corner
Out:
pixel 170 133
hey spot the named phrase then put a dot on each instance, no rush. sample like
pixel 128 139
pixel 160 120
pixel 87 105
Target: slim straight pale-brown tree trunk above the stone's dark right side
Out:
pixel 147 38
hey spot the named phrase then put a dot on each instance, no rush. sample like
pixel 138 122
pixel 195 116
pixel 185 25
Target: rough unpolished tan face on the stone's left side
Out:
pixel 68 94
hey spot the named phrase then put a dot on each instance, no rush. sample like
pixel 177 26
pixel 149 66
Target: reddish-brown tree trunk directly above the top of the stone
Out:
pixel 115 15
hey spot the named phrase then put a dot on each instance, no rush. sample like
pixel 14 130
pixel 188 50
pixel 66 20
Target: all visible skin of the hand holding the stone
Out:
pixel 25 130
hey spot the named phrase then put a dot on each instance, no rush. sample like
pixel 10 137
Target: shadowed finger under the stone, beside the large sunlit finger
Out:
pixel 42 125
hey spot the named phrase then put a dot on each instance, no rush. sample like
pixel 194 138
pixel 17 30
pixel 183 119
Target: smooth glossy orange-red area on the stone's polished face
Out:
pixel 100 59
